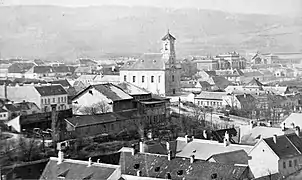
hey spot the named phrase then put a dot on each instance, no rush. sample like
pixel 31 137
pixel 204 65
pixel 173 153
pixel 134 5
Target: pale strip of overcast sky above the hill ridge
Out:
pixel 242 6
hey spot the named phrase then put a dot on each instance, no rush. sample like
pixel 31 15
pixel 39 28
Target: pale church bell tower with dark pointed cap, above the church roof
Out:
pixel 168 48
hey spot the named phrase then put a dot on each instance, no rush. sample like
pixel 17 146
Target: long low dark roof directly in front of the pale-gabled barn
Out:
pixel 86 120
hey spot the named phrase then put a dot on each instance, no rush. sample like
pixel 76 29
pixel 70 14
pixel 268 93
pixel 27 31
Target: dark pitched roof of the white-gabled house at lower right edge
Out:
pixel 286 146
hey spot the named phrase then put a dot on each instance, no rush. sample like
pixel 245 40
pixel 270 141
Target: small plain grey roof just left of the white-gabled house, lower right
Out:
pixel 233 157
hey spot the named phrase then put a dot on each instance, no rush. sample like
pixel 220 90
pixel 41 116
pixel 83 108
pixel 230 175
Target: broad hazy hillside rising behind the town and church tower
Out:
pixel 62 33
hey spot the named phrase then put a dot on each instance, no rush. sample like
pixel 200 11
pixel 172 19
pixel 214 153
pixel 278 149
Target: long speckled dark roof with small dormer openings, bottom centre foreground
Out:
pixel 153 165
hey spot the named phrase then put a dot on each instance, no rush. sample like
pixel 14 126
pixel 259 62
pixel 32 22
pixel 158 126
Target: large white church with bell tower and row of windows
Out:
pixel 158 73
